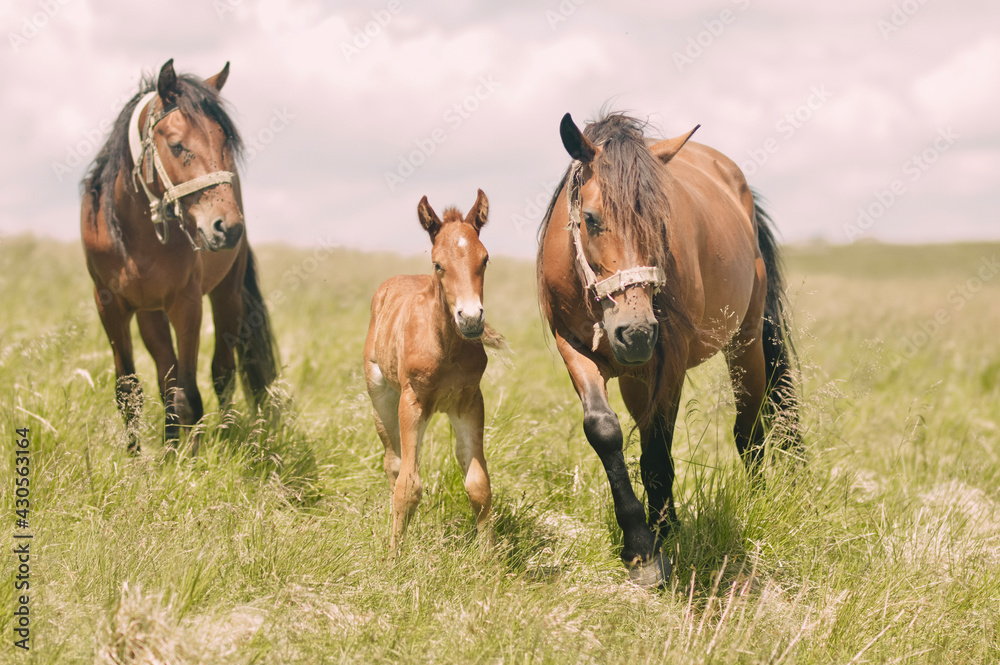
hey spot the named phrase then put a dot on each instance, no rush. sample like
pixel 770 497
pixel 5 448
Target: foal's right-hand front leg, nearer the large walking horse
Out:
pixel 468 419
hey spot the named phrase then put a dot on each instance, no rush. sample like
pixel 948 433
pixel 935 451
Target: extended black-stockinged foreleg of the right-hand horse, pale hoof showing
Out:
pixel 604 433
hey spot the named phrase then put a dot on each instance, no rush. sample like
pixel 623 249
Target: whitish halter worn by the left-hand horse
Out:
pixel 144 151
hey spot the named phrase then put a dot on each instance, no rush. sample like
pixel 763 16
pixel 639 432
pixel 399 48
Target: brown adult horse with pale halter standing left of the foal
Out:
pixel 144 238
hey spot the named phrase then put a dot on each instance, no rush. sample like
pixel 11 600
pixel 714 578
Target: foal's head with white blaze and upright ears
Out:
pixel 459 261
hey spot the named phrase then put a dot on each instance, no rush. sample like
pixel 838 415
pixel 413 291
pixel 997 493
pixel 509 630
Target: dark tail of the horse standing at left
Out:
pixel 257 353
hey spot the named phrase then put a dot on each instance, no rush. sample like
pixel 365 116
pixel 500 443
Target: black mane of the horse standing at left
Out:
pixel 196 100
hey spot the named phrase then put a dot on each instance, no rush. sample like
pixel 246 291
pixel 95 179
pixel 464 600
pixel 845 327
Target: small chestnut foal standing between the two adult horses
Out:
pixel 424 354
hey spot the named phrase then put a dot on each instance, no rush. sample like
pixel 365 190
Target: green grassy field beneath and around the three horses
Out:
pixel 271 546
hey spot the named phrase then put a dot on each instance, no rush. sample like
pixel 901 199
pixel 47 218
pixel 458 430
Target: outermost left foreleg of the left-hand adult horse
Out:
pixel 117 319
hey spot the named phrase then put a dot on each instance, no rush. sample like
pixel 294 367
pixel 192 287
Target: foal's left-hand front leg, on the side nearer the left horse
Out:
pixel 413 419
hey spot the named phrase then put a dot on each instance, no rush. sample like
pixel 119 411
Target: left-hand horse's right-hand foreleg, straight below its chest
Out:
pixel 185 316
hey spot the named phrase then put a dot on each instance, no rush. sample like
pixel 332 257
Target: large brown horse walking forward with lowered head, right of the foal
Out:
pixel 654 256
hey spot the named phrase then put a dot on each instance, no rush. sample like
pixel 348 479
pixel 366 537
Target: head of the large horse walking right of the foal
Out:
pixel 623 210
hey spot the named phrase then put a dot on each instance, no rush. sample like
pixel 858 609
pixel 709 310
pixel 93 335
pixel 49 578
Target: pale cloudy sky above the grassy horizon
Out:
pixel 856 120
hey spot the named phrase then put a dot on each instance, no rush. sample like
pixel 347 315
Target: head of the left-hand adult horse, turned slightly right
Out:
pixel 198 140
